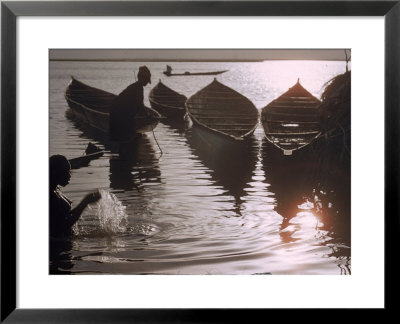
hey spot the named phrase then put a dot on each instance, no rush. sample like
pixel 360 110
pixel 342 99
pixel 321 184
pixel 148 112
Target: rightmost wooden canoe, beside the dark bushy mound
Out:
pixel 291 121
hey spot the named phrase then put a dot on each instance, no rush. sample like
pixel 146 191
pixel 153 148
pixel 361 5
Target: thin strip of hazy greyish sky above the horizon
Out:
pixel 196 54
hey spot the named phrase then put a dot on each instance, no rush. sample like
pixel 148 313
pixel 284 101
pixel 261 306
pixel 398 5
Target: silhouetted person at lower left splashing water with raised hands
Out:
pixel 62 218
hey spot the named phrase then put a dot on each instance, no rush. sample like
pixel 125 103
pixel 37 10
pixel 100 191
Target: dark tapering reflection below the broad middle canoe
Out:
pixel 231 168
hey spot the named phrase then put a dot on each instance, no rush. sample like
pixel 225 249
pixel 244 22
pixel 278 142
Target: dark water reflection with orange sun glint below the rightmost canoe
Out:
pixel 313 197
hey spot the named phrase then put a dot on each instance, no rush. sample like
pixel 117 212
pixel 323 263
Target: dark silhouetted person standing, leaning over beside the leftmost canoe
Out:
pixel 127 106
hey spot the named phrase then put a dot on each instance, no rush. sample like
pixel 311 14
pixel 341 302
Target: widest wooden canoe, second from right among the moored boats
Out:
pixel 222 113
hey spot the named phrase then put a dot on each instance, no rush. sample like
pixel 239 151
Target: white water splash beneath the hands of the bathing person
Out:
pixel 111 213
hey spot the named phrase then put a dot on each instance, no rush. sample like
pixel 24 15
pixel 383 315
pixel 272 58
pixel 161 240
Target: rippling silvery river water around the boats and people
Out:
pixel 185 210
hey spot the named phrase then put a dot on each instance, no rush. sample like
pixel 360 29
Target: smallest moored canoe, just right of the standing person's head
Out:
pixel 167 102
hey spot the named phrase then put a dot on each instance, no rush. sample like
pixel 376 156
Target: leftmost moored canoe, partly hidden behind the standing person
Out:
pixel 93 106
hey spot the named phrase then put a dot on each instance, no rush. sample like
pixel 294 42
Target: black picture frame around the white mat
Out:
pixel 11 10
